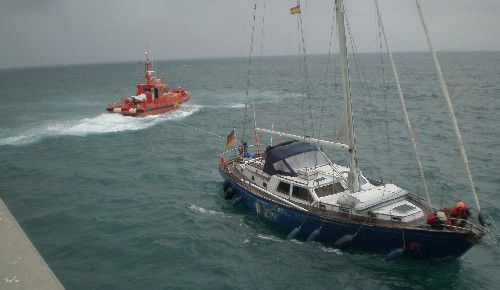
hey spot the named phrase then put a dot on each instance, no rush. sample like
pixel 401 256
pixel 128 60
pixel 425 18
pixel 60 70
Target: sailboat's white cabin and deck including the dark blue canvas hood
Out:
pixel 299 172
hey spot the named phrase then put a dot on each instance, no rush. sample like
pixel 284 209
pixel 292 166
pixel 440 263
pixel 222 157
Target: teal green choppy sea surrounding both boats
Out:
pixel 116 202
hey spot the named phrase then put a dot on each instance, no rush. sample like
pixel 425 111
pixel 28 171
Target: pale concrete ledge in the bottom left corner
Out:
pixel 21 266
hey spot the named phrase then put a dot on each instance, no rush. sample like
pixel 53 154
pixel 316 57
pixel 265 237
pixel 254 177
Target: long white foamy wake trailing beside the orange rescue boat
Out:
pixel 101 124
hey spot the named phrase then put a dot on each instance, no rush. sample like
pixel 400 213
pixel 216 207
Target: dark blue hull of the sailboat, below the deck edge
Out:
pixel 419 244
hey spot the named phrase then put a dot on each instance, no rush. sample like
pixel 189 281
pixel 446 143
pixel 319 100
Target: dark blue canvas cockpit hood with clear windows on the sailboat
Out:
pixel 287 158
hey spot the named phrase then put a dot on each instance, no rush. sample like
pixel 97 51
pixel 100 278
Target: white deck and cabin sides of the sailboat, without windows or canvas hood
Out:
pixel 387 202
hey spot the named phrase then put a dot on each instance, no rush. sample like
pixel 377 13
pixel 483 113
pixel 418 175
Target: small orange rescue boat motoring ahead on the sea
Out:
pixel 151 97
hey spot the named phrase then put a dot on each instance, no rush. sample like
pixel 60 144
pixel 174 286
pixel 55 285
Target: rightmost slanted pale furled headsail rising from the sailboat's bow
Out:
pixel 451 112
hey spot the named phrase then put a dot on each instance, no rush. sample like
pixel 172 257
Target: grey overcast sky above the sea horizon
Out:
pixel 53 32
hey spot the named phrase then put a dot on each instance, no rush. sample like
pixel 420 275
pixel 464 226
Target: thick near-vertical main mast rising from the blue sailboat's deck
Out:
pixel 353 179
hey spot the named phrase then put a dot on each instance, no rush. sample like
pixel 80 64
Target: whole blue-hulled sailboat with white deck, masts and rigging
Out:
pixel 297 187
